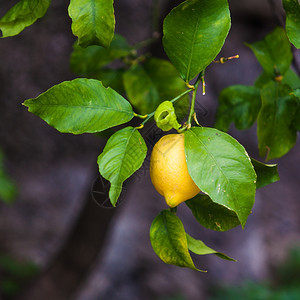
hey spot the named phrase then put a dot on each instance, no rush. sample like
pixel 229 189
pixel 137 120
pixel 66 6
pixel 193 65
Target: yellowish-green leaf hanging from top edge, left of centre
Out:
pixel 93 21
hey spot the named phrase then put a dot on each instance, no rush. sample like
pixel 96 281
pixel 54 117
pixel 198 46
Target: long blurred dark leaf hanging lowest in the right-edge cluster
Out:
pixel 275 134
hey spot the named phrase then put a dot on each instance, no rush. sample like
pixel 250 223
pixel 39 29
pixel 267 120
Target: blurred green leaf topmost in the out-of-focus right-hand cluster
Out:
pixel 274 52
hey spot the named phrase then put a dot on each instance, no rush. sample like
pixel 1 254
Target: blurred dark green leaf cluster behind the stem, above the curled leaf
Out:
pixel 144 81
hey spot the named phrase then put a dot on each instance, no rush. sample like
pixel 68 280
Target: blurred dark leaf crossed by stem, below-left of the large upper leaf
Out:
pixel 168 83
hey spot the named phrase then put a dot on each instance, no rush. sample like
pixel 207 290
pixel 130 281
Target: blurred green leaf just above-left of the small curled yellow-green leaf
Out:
pixel 140 89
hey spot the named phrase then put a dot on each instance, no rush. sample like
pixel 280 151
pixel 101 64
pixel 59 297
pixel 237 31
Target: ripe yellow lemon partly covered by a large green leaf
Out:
pixel 168 170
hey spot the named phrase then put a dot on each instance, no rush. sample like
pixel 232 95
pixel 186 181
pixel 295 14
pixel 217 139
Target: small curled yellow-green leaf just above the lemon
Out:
pixel 165 117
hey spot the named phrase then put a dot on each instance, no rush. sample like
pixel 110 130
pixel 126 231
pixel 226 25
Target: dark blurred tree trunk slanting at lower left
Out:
pixel 61 279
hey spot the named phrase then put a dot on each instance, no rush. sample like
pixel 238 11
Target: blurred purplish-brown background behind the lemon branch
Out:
pixel 57 242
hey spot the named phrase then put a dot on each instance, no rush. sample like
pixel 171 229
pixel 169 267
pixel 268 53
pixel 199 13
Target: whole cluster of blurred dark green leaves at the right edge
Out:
pixel 273 100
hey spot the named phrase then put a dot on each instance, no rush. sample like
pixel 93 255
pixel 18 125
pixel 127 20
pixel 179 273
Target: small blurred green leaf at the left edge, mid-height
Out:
pixel 7 187
